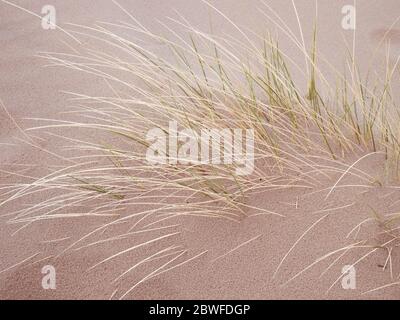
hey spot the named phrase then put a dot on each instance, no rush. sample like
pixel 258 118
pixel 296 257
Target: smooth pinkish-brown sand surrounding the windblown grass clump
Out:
pixel 233 261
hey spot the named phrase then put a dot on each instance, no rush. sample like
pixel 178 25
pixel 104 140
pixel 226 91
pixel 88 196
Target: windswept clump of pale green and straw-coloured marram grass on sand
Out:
pixel 201 81
